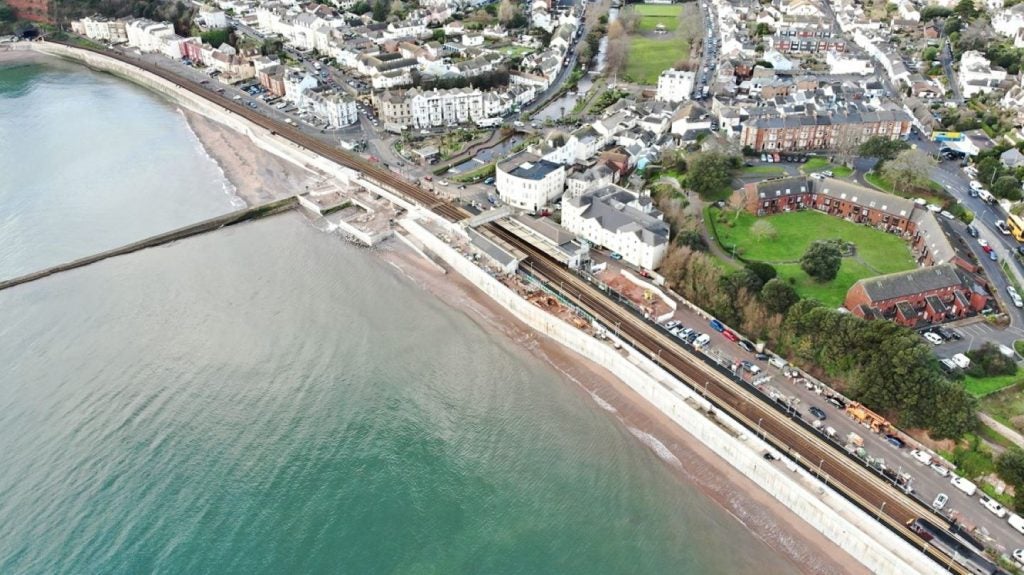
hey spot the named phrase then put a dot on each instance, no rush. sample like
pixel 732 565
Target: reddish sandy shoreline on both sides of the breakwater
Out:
pixel 259 176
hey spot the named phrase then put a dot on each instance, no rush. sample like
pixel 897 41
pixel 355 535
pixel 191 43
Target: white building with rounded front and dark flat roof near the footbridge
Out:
pixel 528 183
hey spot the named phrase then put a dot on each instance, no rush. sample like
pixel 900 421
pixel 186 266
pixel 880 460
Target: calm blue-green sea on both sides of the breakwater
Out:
pixel 270 400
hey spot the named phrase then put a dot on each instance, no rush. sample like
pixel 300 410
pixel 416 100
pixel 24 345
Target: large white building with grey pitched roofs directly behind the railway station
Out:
pixel 620 220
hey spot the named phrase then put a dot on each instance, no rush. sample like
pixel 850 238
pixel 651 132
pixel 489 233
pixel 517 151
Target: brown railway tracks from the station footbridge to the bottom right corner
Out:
pixel 845 475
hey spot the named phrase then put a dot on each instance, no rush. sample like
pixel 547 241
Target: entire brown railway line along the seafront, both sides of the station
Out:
pixel 787 435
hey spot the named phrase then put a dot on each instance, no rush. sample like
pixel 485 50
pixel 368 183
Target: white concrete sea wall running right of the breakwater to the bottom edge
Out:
pixel 857 533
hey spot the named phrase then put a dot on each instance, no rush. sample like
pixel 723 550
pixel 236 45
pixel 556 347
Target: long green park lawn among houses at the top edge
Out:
pixel 651 54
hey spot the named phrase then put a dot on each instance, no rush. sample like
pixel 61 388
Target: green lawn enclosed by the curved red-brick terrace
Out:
pixel 877 252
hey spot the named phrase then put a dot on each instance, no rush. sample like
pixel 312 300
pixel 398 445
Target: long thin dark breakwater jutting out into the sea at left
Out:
pixel 233 218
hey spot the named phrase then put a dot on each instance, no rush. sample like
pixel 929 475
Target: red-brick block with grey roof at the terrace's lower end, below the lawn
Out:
pixel 931 295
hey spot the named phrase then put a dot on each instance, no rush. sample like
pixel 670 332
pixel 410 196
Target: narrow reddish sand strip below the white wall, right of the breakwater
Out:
pixel 689 459
